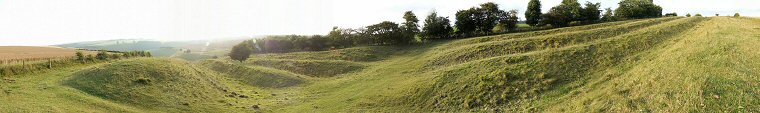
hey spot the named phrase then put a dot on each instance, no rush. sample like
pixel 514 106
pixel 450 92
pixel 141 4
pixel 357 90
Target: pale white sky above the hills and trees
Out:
pixel 49 22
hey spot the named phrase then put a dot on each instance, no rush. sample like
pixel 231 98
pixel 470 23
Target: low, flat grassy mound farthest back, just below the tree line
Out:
pixel 315 68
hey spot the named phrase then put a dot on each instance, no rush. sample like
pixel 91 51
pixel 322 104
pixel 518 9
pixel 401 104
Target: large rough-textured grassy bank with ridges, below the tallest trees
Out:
pixel 514 79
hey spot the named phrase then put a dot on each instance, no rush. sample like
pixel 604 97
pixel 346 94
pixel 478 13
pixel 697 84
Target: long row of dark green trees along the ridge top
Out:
pixel 485 19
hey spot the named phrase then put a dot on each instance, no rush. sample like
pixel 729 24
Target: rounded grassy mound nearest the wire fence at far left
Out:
pixel 153 83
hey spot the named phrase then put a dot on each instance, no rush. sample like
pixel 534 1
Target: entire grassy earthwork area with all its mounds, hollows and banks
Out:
pixel 675 64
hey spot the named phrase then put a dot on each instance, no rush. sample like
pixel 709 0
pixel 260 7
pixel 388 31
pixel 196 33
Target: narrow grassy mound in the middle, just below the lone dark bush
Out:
pixel 255 75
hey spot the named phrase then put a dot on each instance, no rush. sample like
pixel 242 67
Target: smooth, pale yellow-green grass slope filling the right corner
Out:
pixel 712 68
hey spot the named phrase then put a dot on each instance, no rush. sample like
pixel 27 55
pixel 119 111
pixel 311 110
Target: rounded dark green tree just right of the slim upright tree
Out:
pixel 436 27
